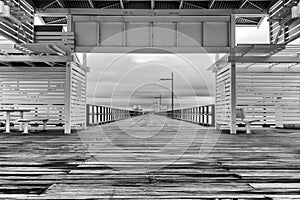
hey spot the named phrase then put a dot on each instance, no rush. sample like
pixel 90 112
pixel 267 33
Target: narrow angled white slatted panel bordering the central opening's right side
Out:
pixel 223 97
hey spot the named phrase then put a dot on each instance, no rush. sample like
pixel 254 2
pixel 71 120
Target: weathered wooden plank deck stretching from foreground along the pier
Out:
pixel 150 157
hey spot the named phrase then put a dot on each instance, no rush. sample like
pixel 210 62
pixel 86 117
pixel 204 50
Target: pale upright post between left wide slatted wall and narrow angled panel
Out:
pixel 68 98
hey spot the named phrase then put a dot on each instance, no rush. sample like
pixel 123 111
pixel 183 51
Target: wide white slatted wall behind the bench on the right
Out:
pixel 271 97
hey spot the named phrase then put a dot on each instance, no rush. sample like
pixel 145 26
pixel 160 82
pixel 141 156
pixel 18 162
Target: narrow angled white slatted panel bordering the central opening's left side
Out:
pixel 78 95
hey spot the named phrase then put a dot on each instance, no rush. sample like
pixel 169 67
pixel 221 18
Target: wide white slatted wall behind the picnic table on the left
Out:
pixel 40 89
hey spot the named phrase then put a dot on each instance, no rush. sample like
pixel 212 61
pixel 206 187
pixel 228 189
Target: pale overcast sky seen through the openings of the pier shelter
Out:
pixel 132 79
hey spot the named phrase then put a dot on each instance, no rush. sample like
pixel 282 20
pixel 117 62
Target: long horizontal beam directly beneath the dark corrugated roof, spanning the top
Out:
pixel 145 12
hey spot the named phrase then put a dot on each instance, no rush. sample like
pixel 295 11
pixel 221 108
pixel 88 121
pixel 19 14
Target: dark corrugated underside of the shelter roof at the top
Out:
pixel 261 5
